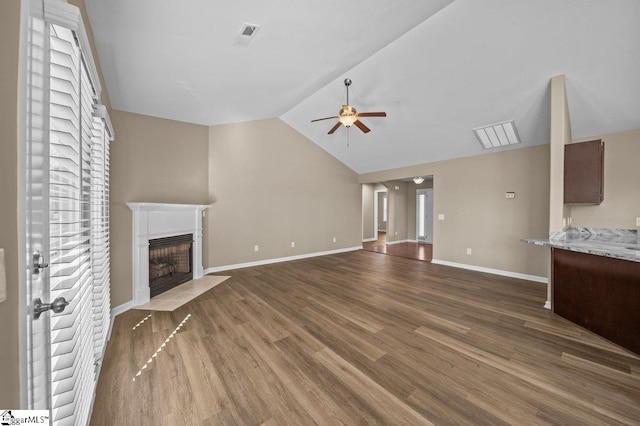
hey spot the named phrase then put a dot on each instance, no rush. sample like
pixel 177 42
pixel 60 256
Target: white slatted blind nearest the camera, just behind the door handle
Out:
pixel 70 117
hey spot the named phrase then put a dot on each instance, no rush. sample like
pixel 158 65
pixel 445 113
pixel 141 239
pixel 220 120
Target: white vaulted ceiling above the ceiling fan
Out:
pixel 438 68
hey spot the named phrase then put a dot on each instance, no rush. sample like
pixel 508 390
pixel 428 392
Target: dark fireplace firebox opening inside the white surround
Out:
pixel 170 261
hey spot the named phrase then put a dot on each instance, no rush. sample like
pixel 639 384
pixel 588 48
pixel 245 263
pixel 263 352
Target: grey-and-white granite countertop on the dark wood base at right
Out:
pixel 617 243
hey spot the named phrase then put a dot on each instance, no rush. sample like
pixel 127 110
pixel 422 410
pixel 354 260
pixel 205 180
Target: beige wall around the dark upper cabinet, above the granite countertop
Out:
pixel 621 203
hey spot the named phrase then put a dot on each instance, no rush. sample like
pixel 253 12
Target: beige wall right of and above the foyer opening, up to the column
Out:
pixel 470 193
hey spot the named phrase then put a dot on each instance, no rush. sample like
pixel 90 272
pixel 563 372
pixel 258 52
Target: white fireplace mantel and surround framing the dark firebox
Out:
pixel 159 220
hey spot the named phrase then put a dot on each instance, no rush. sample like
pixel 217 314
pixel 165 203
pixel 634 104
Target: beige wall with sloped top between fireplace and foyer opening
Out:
pixel 272 186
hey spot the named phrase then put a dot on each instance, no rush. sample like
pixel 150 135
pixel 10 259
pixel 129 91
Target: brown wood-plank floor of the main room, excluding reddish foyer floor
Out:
pixel 363 338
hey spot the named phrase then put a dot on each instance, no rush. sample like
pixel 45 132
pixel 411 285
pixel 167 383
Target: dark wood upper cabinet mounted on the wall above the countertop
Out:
pixel 584 172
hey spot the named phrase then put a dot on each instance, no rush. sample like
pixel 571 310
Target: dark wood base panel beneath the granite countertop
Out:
pixel 601 294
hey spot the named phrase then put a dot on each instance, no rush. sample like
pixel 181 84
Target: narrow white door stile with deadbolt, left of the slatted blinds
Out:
pixel 35 166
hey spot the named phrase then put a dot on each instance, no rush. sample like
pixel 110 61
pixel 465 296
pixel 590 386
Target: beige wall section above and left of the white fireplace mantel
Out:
pixel 153 160
